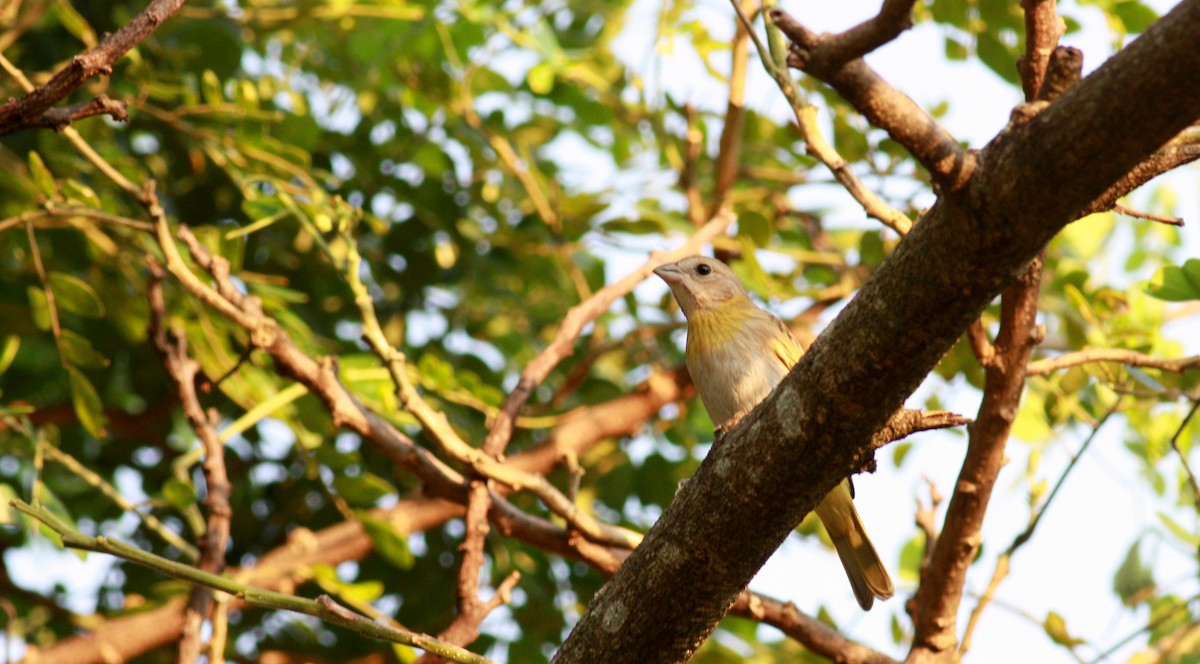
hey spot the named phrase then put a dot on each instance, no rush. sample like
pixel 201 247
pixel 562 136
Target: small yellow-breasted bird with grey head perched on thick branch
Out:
pixel 737 354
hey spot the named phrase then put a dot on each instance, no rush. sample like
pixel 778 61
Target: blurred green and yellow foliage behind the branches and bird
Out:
pixel 497 164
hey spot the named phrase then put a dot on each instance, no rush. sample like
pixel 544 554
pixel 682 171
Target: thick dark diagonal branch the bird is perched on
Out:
pixel 817 427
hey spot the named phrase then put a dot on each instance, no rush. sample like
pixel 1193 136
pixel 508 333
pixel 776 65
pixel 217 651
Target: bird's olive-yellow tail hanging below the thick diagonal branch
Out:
pixel 863 566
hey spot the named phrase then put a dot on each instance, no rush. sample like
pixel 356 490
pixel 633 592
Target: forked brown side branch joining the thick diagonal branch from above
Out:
pixel 838 62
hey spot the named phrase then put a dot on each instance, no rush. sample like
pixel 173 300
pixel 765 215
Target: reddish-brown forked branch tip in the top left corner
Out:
pixel 34 110
